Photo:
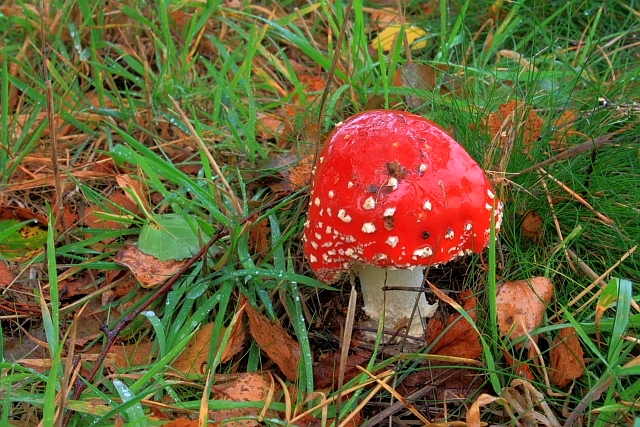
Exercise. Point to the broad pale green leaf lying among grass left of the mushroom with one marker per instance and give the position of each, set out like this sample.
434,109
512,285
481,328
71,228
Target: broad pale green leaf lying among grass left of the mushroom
170,236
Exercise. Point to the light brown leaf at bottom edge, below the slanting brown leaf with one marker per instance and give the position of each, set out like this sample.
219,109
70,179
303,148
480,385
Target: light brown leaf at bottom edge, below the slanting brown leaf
249,387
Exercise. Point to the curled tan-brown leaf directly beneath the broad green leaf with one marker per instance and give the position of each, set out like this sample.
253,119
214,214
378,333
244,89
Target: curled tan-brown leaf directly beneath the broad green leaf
147,269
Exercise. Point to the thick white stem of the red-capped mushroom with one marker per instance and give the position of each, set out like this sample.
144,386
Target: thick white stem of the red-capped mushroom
397,305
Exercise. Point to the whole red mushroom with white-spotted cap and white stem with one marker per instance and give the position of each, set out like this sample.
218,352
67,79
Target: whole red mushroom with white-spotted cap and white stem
391,194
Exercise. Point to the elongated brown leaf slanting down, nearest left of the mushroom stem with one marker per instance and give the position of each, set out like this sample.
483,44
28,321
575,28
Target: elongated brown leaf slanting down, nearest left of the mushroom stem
275,342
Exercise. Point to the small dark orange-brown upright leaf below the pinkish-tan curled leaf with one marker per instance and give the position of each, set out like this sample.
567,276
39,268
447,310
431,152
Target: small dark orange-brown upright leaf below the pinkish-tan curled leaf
566,358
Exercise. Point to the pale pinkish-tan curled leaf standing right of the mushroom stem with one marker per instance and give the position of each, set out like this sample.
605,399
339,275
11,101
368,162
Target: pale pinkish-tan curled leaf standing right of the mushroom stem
521,305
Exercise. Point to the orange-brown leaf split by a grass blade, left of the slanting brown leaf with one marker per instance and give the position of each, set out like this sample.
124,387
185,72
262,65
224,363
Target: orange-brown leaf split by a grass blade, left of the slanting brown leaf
193,359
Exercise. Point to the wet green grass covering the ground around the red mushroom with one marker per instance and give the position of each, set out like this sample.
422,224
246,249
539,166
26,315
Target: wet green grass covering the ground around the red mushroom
115,69
